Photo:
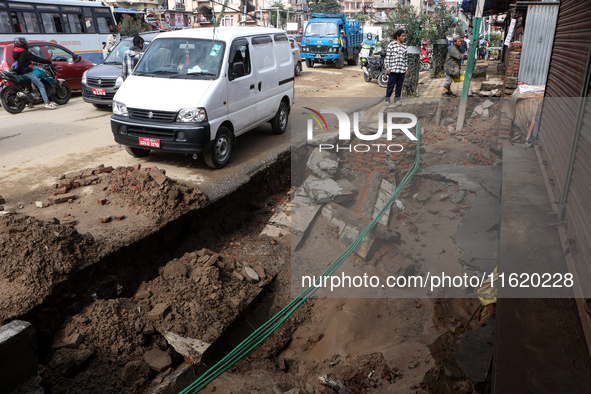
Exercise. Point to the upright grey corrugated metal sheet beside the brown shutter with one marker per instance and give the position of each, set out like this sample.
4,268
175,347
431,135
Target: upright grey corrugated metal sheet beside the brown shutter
538,37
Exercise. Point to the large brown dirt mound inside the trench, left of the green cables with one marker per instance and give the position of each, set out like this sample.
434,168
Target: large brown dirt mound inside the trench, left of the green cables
198,296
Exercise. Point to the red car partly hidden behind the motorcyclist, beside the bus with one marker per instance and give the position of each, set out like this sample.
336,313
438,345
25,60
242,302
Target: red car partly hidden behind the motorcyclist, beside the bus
69,65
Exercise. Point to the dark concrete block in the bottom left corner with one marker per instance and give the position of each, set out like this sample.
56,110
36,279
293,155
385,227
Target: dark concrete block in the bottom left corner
18,354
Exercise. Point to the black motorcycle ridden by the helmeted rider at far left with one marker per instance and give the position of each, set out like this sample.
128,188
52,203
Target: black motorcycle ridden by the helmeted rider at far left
19,91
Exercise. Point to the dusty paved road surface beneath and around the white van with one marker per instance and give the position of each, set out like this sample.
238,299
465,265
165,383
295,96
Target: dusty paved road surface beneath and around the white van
39,144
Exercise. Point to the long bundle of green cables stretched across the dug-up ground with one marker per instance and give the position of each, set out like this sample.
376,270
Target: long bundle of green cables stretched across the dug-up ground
263,332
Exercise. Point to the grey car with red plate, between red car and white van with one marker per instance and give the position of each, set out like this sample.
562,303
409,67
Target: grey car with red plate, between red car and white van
100,83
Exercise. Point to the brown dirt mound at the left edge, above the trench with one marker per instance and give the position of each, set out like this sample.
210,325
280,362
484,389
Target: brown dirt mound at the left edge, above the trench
35,255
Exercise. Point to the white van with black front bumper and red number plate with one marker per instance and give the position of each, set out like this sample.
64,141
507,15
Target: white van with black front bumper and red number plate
194,91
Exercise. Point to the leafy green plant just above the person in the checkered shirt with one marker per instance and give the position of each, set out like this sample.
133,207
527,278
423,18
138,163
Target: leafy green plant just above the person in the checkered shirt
406,17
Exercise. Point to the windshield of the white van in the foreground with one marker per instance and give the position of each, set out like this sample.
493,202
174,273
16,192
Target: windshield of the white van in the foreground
182,58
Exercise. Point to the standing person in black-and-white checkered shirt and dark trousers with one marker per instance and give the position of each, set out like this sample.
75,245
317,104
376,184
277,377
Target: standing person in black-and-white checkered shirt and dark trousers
396,66
